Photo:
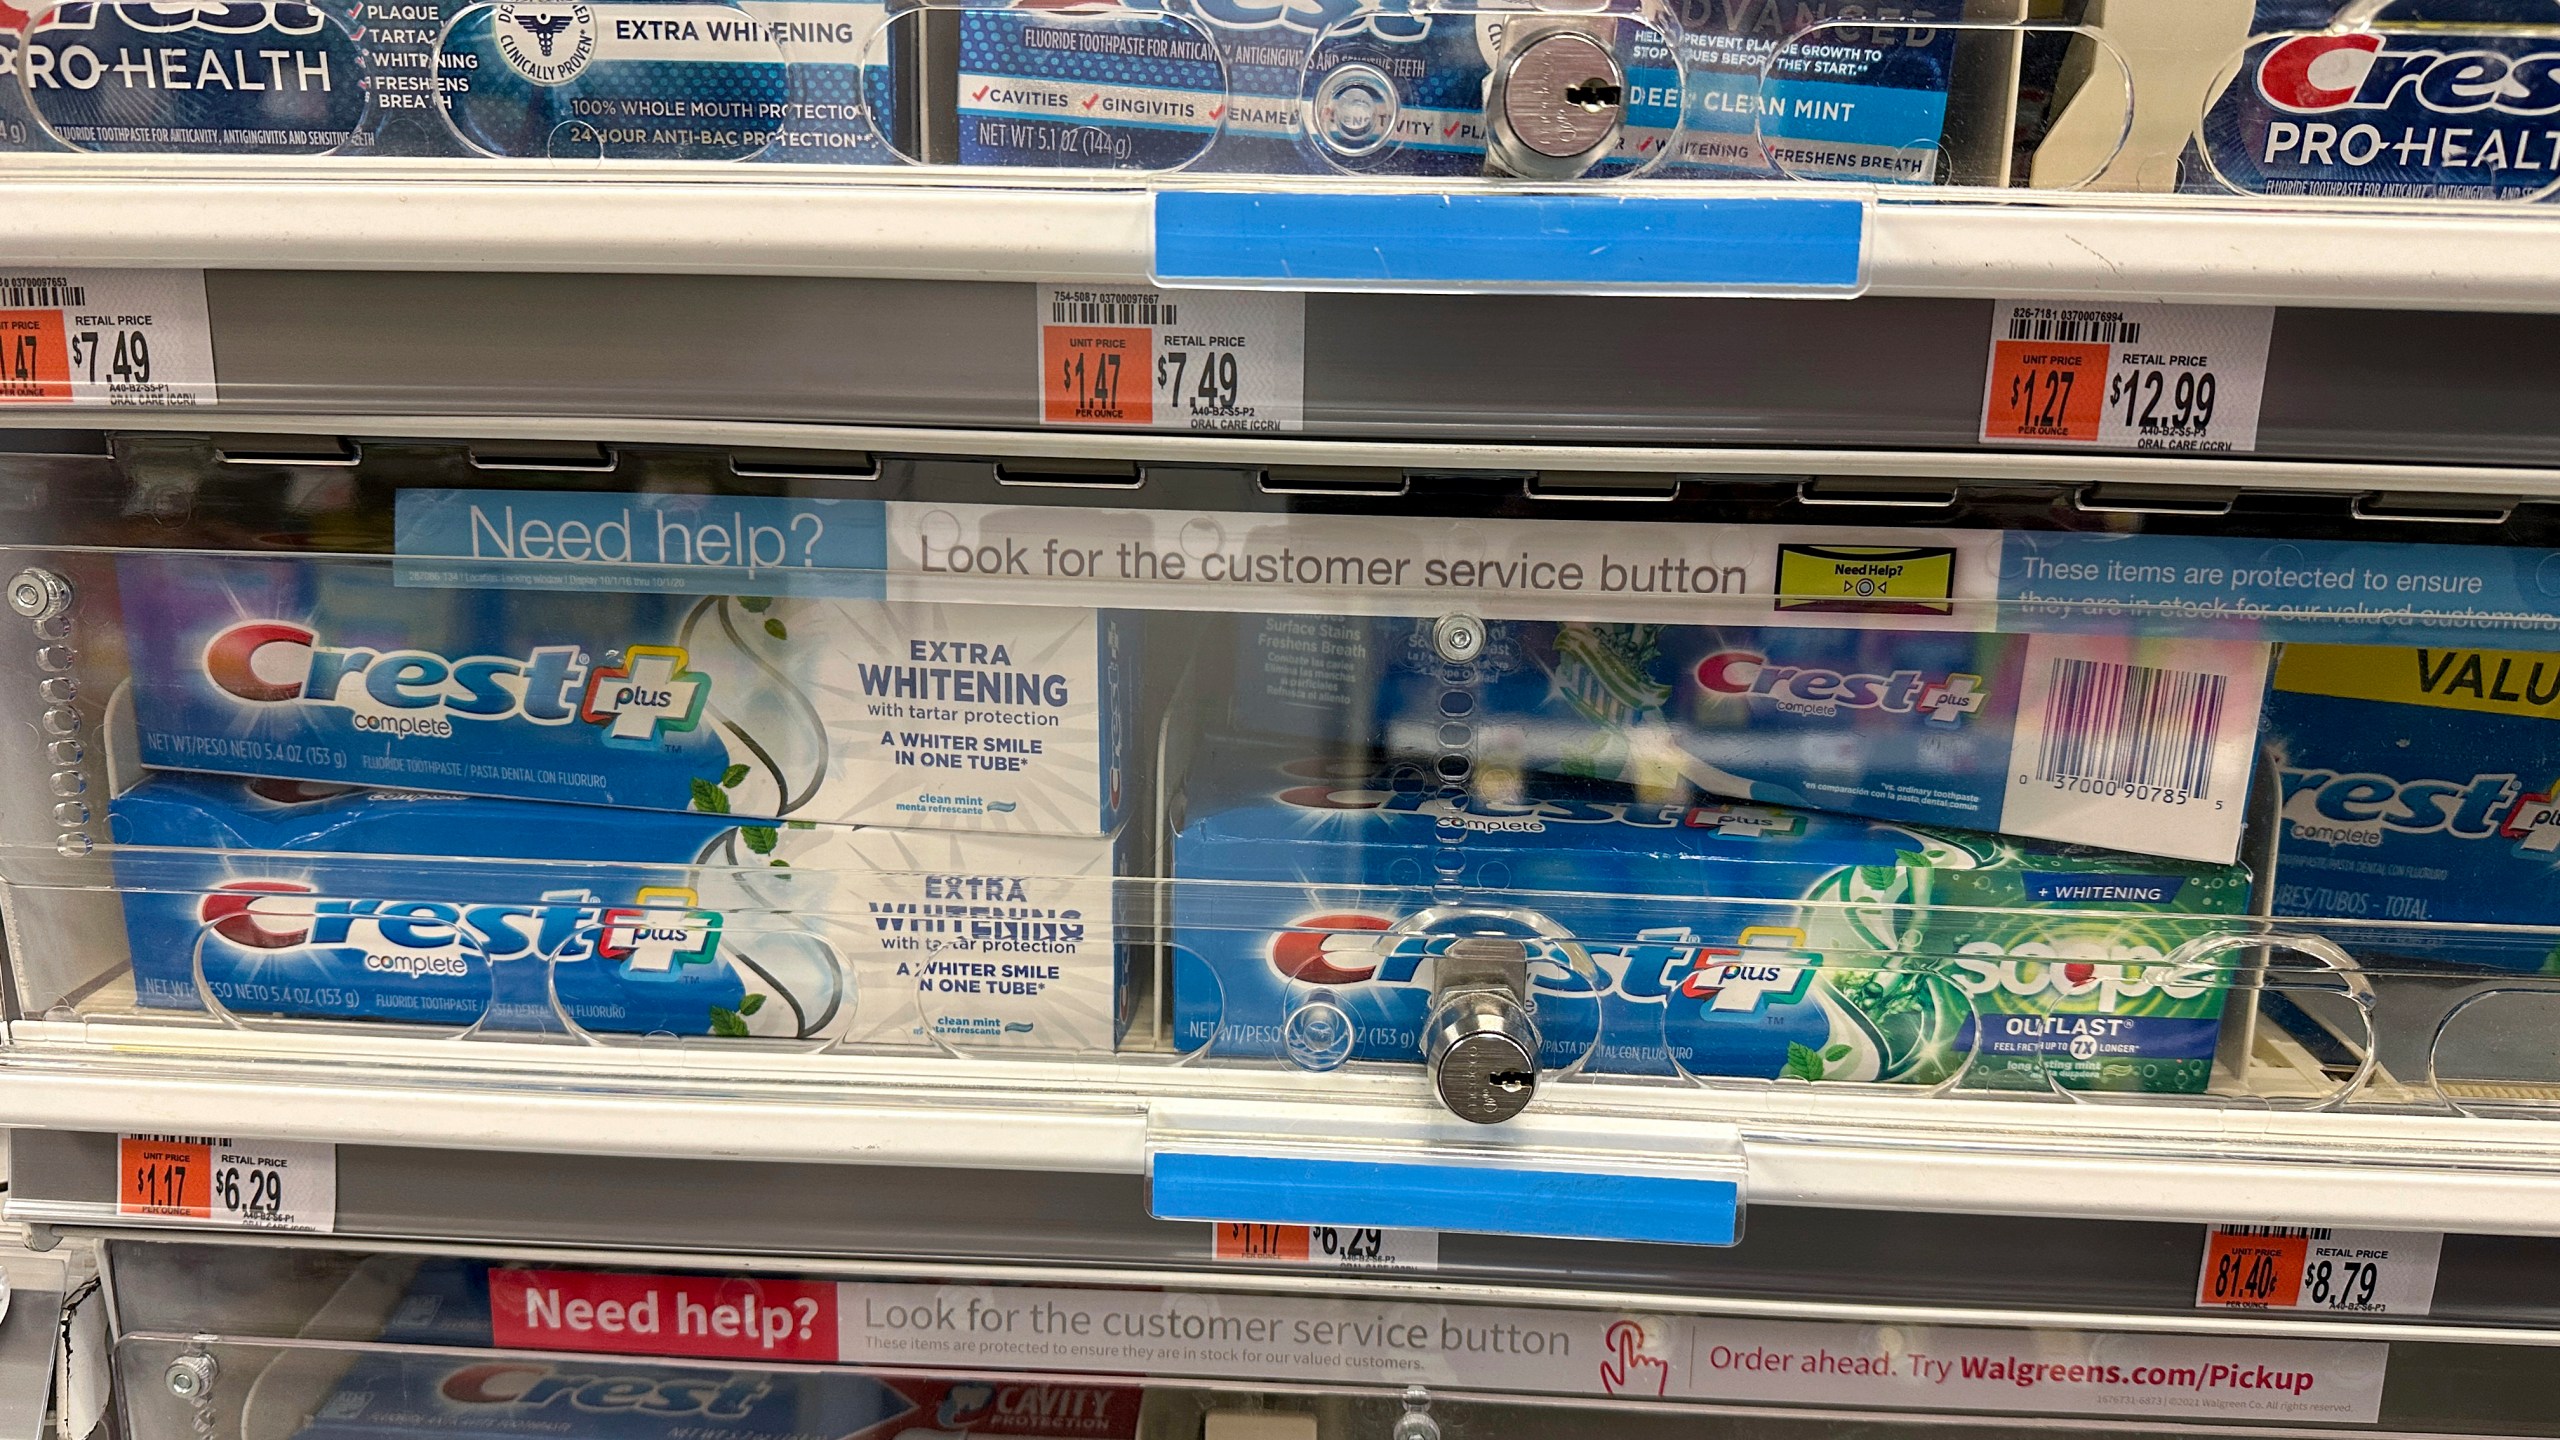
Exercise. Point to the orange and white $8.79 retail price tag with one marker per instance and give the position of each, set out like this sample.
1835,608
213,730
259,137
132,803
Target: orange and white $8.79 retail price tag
2349,1272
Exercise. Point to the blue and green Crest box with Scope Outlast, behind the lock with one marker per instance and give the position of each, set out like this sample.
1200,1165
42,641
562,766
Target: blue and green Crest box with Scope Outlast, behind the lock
1686,939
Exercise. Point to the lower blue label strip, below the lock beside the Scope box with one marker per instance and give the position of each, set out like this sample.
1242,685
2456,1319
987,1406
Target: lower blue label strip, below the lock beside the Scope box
1565,1206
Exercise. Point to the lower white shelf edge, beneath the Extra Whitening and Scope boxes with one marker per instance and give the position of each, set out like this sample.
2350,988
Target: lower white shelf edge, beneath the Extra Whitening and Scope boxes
1827,1149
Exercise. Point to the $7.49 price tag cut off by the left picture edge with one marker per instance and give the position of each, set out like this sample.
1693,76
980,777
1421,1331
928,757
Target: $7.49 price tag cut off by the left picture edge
106,337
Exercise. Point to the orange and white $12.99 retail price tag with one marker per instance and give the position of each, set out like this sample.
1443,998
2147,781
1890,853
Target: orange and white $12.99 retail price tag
2126,378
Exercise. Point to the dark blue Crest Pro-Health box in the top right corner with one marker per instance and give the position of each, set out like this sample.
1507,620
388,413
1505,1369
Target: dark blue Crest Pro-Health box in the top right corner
2413,99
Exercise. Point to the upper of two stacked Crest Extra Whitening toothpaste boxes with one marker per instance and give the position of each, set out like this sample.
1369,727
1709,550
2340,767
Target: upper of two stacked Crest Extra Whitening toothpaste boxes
762,708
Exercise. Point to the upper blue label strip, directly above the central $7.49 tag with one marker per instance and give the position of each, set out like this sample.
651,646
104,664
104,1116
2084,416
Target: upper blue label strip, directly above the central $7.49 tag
1512,240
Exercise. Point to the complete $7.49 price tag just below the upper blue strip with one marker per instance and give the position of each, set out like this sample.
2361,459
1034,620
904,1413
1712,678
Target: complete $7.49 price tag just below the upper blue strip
1171,360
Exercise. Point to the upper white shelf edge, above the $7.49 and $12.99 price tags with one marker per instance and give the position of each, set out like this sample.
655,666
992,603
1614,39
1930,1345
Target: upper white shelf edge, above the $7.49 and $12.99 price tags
946,224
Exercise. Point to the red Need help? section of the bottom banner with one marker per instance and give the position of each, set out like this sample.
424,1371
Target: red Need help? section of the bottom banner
731,1318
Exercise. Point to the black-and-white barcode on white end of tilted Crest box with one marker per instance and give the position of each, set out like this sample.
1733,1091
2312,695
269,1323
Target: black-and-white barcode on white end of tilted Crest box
2134,729
